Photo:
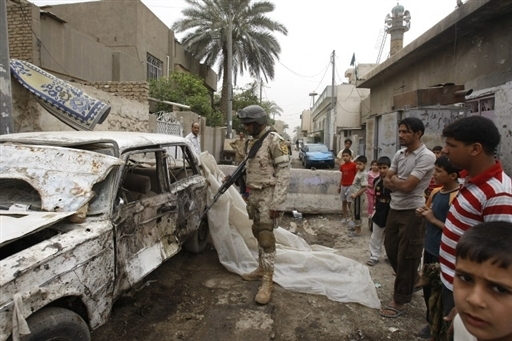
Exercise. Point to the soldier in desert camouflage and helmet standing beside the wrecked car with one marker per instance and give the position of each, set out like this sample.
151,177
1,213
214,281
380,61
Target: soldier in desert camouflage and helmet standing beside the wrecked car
267,177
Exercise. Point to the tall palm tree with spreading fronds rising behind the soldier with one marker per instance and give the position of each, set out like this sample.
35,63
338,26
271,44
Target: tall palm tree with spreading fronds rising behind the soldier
254,46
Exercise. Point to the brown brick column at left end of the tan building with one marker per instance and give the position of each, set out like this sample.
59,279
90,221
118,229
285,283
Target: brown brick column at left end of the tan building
19,25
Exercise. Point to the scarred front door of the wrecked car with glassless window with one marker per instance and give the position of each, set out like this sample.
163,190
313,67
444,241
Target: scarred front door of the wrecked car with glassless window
146,218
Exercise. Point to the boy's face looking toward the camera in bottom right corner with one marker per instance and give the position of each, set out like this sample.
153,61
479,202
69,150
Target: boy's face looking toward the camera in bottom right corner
482,286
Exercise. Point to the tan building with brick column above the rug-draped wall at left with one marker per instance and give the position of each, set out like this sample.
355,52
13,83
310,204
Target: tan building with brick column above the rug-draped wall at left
99,41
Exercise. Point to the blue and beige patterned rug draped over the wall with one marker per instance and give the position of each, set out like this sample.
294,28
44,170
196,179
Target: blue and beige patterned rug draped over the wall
67,103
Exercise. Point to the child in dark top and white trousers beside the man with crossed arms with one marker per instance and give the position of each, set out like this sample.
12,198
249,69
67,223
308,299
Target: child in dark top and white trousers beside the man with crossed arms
380,212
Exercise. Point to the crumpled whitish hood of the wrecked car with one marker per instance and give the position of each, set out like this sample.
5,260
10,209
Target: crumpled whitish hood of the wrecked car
62,177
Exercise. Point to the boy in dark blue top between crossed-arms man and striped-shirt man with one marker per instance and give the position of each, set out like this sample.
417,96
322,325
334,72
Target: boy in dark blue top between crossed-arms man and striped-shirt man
435,212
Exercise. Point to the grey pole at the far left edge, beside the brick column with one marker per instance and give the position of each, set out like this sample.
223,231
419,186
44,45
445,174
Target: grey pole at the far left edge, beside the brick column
6,121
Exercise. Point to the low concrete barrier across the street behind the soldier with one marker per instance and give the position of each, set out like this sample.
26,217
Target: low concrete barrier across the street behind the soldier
310,191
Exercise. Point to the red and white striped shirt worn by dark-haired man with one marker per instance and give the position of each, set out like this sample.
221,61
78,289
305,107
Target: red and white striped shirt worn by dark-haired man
485,197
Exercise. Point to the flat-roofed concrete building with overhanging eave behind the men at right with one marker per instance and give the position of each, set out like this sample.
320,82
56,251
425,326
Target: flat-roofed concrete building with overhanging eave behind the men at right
461,66
